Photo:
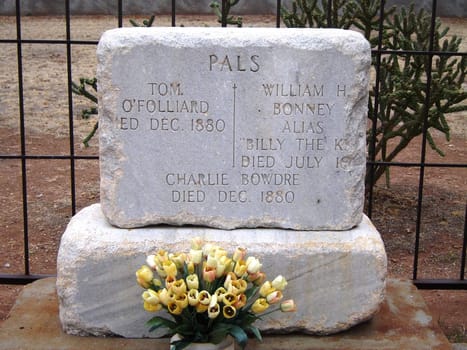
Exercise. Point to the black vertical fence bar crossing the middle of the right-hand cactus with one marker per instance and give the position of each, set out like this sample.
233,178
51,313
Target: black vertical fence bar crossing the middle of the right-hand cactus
424,139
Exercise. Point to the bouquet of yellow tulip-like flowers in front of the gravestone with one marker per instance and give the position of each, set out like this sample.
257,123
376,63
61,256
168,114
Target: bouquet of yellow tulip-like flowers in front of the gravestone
208,294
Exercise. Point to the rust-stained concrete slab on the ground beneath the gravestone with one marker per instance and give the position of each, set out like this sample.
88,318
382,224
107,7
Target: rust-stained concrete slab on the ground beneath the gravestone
33,324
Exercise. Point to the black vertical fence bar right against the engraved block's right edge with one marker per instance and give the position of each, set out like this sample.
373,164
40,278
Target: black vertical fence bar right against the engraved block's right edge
371,151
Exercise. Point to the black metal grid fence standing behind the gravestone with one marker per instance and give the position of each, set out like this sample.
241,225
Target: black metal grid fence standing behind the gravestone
48,174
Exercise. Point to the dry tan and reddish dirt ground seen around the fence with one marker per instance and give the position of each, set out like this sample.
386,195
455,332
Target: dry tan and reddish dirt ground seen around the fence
48,181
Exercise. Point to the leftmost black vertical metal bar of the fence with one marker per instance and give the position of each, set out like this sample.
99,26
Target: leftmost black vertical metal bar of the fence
24,182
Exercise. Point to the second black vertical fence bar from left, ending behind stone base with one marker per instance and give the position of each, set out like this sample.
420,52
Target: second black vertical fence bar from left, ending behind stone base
70,107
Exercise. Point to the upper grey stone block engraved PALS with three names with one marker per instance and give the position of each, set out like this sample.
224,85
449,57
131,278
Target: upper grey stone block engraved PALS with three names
233,127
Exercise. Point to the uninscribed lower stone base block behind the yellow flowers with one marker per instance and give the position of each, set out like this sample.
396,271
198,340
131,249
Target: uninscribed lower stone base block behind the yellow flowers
337,278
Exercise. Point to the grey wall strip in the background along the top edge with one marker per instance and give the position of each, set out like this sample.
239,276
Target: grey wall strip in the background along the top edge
454,8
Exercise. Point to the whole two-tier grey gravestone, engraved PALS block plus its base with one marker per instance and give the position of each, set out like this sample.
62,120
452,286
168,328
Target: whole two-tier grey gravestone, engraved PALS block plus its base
250,137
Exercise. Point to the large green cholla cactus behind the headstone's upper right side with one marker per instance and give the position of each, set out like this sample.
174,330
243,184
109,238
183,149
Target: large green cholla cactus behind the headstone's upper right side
403,77
